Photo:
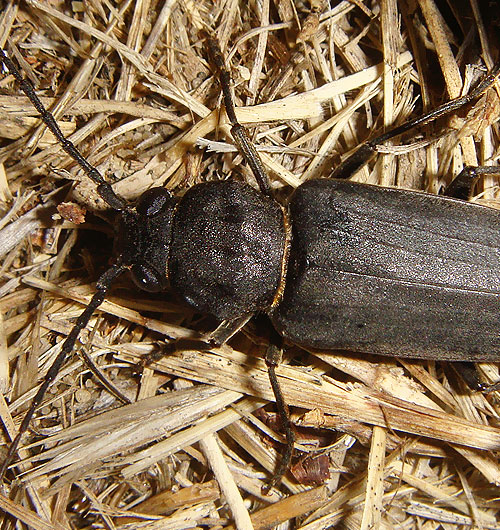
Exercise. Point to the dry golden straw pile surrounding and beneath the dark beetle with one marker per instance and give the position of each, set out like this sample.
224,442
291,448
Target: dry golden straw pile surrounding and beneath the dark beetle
398,444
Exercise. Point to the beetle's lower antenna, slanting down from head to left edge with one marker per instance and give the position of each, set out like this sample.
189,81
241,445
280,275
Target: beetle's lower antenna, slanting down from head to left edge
102,286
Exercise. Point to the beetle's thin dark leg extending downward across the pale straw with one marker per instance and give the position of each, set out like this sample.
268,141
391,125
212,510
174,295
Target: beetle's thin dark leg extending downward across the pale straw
273,359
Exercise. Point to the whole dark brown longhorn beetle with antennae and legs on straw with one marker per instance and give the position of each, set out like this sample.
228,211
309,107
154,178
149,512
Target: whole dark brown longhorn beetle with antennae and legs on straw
342,265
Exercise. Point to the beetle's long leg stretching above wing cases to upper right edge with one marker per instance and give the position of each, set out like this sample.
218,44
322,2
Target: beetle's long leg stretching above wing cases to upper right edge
363,154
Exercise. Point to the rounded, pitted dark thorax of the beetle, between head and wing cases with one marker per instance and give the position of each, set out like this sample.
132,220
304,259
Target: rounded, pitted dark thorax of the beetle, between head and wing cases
228,243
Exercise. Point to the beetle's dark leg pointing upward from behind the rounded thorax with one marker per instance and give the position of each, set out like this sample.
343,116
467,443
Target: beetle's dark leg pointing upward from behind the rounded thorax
240,134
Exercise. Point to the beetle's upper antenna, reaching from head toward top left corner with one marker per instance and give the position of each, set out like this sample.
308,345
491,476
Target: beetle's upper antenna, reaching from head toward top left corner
104,189
